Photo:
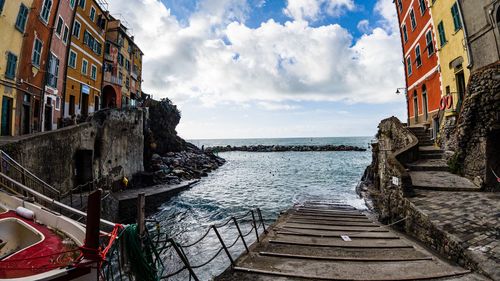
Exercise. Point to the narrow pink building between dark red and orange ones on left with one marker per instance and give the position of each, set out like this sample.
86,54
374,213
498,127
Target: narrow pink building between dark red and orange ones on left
56,67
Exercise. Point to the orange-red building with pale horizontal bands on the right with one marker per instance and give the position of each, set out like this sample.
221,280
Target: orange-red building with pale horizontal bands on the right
423,82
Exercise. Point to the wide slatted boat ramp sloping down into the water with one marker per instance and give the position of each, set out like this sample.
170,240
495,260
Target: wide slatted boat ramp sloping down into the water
318,241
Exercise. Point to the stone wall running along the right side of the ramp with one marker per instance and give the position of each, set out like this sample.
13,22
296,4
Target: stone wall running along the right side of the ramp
391,188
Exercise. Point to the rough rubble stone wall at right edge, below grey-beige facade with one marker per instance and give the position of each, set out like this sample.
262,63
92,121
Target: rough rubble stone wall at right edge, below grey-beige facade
473,138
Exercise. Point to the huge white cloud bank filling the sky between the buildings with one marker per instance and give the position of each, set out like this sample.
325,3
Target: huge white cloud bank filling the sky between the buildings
216,58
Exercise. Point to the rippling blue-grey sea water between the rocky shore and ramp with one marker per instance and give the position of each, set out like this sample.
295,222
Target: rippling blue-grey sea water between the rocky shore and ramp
271,181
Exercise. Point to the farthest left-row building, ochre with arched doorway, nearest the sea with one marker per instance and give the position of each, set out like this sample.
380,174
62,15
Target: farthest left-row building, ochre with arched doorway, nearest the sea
122,67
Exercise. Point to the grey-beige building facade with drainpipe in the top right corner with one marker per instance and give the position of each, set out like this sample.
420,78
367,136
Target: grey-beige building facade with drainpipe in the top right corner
482,28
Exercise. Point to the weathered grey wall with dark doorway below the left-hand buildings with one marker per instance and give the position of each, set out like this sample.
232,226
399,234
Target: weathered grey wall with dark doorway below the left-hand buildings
107,148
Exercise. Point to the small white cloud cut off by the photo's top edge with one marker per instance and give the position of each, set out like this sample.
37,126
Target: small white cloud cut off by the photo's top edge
312,9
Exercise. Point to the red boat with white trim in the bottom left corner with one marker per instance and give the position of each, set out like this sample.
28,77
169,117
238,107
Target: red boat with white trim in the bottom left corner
47,252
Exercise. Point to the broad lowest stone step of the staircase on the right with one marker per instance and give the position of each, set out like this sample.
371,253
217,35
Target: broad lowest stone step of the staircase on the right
441,181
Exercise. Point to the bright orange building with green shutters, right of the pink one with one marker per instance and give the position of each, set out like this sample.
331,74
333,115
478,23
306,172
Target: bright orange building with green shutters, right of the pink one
85,60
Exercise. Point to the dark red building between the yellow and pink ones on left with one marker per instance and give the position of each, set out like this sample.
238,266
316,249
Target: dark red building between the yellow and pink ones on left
33,65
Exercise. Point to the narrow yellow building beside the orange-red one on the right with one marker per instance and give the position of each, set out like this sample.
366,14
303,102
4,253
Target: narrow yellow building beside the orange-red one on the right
452,53
